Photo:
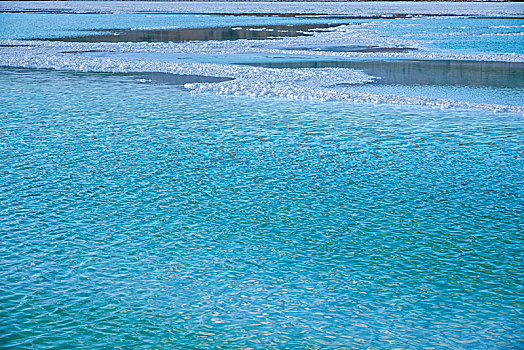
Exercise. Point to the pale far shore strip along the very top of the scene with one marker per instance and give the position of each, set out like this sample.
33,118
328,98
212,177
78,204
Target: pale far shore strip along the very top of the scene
354,9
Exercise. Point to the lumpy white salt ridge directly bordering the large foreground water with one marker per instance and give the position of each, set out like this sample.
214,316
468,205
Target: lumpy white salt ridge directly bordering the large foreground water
303,84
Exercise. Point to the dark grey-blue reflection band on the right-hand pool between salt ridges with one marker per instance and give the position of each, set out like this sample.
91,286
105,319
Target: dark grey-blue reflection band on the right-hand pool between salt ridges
403,72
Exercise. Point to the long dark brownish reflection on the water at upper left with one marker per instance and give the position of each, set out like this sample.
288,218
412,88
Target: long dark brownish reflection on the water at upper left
201,34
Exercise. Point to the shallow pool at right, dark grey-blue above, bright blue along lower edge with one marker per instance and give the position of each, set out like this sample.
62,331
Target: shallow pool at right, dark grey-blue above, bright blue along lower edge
475,81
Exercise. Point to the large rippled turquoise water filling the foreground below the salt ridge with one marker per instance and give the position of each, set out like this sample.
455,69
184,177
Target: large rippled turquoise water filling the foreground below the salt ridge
142,216
